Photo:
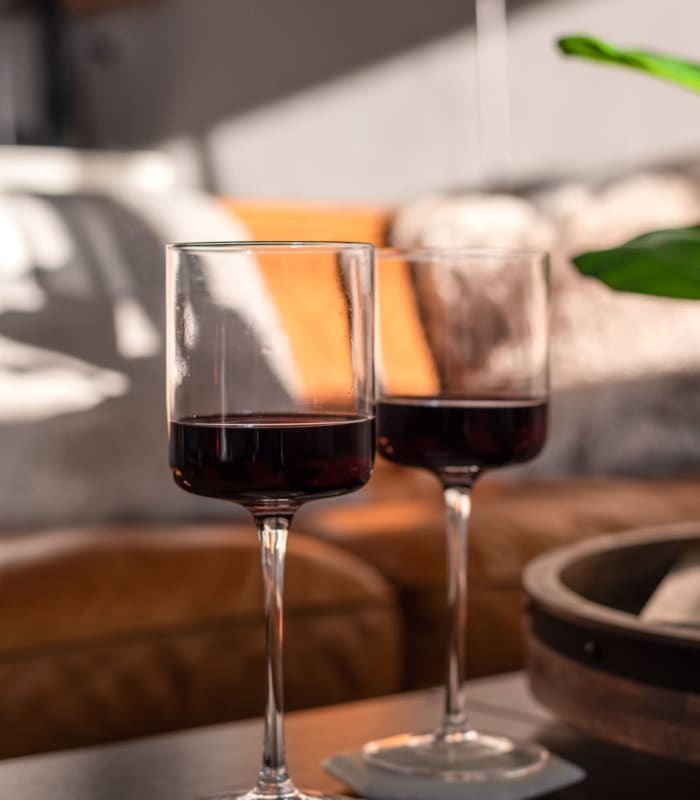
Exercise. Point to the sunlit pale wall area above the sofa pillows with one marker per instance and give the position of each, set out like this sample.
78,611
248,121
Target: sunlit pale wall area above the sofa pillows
407,125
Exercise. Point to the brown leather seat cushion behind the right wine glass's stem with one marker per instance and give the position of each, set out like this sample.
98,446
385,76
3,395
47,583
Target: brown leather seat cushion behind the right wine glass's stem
403,537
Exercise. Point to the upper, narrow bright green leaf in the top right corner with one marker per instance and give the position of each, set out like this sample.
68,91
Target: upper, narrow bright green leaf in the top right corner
677,70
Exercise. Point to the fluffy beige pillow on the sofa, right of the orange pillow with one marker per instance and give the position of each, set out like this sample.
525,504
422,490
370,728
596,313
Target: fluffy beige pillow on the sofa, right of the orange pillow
625,368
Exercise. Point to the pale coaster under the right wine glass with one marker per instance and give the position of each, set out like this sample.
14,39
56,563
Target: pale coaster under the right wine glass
375,783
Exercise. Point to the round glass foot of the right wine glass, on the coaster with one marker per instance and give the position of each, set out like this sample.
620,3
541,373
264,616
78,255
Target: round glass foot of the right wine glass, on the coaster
456,757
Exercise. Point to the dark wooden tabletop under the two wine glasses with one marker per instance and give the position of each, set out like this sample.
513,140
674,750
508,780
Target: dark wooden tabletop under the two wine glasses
193,764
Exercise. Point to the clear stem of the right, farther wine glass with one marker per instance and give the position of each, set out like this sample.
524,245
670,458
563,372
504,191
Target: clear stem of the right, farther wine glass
458,506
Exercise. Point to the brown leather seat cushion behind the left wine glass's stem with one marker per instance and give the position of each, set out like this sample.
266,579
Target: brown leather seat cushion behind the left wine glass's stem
110,633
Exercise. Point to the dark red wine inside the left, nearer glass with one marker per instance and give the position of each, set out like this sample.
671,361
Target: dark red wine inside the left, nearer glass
250,458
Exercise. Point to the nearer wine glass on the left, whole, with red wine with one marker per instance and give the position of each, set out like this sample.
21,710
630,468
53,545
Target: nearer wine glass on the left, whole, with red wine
270,403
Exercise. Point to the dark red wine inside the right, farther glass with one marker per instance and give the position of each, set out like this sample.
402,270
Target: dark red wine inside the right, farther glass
435,433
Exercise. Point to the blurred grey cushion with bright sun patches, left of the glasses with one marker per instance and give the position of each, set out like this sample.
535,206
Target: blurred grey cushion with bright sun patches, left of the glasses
82,362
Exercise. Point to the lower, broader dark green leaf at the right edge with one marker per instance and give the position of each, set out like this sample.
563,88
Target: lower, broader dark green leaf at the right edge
664,263
